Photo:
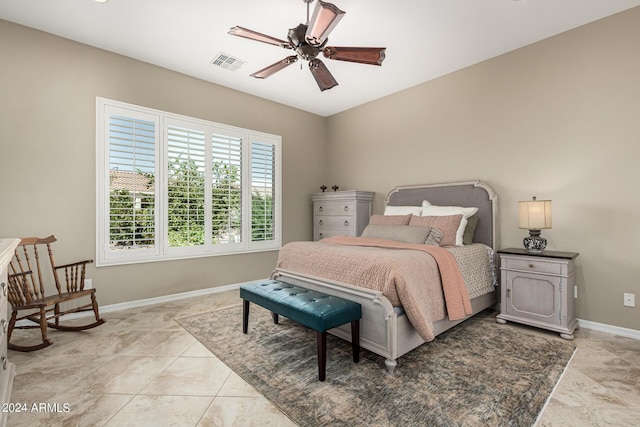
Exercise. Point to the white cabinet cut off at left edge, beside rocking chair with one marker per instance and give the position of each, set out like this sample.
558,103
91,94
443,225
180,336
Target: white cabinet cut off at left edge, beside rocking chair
7,369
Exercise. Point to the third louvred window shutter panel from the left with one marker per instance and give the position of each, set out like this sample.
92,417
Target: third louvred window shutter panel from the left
226,188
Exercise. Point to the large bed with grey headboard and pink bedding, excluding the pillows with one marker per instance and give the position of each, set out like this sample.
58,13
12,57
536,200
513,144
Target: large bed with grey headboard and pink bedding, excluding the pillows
386,328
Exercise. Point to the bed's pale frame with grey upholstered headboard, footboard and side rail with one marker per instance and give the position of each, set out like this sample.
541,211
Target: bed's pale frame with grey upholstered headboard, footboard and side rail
382,330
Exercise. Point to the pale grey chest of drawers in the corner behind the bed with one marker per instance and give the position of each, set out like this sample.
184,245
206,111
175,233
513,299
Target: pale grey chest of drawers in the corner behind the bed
341,213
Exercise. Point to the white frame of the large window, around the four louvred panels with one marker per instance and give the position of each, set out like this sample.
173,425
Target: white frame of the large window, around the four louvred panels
162,251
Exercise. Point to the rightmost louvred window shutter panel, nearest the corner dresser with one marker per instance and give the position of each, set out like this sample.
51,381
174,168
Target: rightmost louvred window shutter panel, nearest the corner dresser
262,191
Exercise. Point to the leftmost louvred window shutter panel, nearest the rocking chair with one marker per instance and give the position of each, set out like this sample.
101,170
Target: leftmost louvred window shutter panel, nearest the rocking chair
132,170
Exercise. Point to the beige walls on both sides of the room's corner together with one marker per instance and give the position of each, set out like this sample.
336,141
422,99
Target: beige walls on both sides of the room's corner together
558,119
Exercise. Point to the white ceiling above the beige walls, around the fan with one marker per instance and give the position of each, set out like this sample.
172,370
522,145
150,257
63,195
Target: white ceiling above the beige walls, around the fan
425,39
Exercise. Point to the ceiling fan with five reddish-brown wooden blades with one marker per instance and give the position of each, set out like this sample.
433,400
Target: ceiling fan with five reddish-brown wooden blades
308,40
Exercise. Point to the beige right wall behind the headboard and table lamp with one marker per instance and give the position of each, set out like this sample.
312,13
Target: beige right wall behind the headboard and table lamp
559,119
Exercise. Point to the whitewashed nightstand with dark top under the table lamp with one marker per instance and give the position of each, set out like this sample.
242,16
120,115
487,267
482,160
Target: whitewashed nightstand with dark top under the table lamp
538,289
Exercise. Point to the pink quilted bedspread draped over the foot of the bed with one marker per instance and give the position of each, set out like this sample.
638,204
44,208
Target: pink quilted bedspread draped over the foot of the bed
423,279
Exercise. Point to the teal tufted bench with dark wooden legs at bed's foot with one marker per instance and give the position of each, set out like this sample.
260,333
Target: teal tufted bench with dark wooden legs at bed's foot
309,308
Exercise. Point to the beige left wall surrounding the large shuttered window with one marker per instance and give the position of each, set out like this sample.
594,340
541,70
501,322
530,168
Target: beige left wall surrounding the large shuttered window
48,88
